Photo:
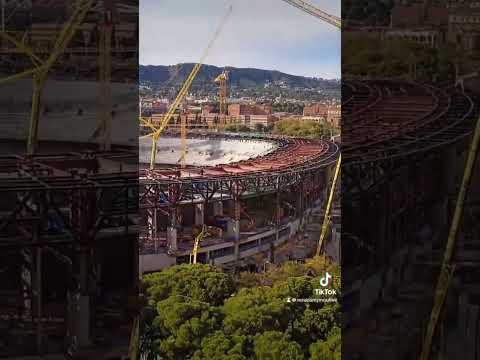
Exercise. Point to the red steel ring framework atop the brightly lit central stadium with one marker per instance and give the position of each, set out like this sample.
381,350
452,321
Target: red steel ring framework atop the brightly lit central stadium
296,165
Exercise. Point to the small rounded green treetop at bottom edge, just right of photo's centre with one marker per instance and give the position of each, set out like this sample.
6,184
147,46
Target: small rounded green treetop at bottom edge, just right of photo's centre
274,345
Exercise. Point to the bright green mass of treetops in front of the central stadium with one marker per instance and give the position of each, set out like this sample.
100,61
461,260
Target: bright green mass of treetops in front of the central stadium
200,312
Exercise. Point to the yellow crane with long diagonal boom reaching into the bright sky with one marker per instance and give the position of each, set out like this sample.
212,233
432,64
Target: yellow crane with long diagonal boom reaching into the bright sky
182,93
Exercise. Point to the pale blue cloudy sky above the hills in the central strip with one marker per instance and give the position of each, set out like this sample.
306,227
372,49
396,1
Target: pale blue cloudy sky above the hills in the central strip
265,34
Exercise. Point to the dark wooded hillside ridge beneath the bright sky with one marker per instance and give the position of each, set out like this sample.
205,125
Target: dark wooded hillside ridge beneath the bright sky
160,75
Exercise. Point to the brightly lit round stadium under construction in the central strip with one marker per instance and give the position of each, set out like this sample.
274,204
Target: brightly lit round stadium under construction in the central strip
252,192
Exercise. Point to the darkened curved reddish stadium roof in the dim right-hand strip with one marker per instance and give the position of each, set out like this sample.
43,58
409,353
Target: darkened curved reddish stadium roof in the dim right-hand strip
384,119
